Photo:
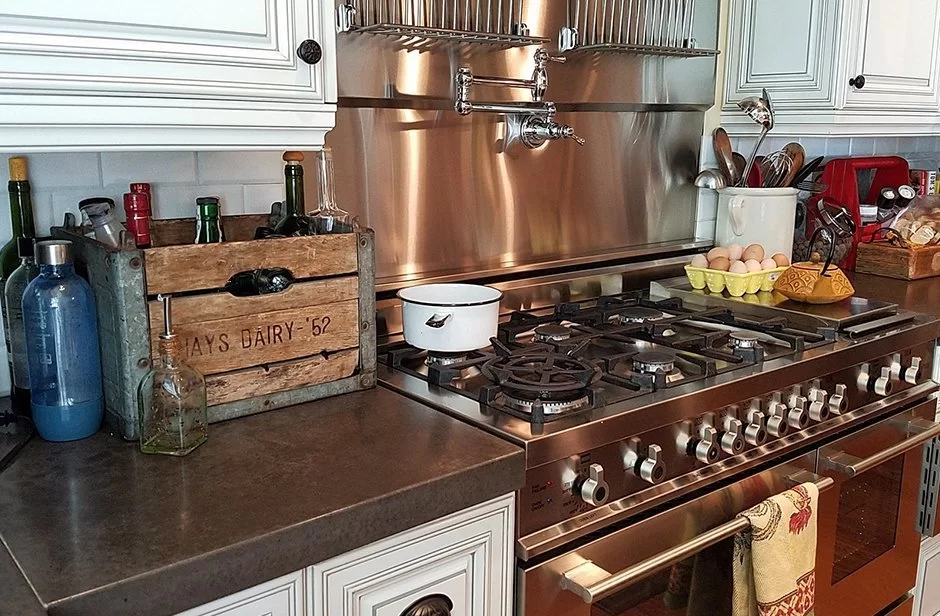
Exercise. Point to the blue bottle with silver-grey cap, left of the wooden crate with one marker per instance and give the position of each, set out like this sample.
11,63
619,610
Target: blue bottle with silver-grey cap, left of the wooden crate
62,348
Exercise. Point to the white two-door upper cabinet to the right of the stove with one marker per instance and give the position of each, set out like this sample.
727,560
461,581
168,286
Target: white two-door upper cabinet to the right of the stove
809,55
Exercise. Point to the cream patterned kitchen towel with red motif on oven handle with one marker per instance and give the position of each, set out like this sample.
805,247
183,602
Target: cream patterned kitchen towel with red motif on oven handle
774,562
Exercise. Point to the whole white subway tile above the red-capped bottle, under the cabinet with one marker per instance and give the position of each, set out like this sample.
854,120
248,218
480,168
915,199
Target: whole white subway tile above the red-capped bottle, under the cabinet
122,168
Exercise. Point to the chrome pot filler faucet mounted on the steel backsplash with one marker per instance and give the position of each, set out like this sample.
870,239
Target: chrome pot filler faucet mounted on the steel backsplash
537,122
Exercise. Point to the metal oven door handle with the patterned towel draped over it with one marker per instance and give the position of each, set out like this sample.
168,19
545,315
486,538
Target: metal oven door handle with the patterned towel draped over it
593,583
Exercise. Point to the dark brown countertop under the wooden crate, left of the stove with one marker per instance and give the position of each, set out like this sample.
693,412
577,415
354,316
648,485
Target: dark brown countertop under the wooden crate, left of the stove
98,528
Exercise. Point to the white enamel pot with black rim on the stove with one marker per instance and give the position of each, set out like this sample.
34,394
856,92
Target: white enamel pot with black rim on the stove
449,318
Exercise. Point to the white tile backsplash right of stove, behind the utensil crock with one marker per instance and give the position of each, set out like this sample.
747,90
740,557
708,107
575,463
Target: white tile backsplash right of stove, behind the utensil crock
921,152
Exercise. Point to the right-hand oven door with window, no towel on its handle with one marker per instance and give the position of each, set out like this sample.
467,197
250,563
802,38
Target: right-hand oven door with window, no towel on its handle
868,542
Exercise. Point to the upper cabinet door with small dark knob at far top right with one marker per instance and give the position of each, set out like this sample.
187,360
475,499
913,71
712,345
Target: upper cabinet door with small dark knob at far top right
893,46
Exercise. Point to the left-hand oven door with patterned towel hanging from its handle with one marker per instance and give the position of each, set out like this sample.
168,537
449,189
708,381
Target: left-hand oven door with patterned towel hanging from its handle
676,563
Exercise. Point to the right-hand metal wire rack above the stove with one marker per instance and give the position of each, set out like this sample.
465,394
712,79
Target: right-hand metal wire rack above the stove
655,27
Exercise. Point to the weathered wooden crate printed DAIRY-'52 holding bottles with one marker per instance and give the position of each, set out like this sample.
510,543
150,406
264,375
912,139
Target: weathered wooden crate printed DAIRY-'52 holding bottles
314,340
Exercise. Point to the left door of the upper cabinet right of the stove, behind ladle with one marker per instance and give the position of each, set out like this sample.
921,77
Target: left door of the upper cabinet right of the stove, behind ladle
789,47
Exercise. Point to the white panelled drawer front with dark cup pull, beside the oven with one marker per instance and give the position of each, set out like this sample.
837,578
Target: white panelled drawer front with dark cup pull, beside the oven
464,560
